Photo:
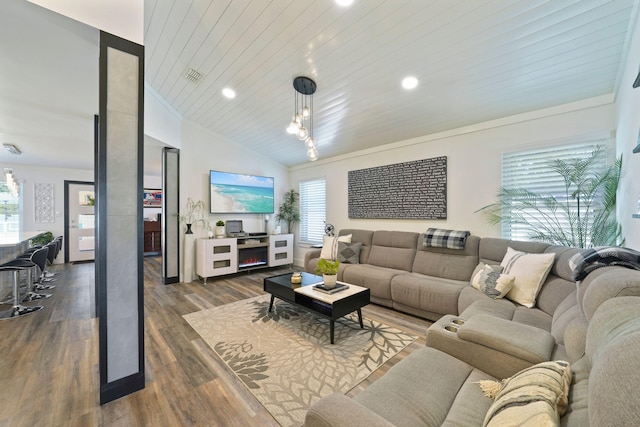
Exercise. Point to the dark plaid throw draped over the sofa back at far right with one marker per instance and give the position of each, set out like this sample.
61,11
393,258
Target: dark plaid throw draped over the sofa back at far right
588,260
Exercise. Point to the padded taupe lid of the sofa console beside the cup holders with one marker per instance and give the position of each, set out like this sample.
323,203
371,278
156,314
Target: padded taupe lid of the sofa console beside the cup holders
526,342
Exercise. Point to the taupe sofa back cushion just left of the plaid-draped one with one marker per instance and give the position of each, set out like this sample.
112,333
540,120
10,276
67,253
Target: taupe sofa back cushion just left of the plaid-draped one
393,249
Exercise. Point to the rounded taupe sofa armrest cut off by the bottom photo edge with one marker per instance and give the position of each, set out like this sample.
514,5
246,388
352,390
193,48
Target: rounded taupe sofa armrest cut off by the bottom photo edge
340,410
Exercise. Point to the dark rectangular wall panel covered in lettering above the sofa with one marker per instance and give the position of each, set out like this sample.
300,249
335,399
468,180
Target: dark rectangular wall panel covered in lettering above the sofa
410,190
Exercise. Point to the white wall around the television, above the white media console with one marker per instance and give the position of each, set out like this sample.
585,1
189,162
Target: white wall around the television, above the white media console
203,151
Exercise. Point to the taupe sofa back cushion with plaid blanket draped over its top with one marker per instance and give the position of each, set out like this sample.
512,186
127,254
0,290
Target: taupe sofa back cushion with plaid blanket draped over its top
447,263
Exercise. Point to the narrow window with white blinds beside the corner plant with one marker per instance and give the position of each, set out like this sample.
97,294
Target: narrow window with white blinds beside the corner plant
312,211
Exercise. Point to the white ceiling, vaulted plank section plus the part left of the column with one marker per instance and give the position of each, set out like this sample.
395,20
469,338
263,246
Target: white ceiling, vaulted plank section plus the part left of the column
475,61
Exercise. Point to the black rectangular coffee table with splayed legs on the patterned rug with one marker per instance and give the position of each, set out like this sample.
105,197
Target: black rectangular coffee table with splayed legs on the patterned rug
329,306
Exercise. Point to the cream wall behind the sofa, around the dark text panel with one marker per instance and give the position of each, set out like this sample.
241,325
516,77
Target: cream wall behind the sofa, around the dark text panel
473,163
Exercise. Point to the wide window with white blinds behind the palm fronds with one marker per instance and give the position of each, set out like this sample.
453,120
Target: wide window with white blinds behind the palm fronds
532,170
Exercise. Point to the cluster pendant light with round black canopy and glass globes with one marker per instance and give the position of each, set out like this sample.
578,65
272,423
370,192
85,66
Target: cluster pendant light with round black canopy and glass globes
301,124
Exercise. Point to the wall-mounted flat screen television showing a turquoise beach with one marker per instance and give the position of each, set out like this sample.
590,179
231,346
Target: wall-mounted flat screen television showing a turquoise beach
240,193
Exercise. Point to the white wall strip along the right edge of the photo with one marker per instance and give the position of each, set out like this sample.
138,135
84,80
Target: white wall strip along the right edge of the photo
627,136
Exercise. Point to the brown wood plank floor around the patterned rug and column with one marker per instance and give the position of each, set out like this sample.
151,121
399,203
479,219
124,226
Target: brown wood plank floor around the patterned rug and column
49,360
